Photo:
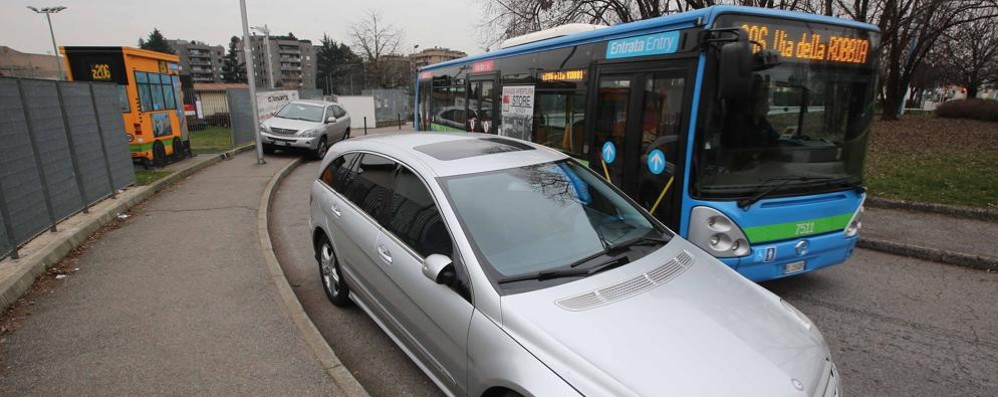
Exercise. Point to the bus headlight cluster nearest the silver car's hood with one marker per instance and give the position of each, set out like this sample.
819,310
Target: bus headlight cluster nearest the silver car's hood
717,234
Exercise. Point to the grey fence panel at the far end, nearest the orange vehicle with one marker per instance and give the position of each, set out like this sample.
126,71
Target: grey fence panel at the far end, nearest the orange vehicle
115,137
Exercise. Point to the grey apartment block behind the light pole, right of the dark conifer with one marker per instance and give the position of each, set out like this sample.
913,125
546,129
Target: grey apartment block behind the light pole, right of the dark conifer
293,62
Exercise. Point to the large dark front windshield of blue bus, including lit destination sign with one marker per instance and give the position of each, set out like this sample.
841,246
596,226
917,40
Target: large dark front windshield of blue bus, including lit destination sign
805,126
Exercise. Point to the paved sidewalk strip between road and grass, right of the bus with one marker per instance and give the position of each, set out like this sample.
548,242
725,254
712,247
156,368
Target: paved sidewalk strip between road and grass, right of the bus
967,239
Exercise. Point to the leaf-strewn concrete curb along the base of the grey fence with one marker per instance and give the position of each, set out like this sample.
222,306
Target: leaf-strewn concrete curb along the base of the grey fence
20,275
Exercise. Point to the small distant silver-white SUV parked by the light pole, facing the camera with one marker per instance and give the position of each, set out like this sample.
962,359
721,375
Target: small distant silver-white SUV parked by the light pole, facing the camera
309,125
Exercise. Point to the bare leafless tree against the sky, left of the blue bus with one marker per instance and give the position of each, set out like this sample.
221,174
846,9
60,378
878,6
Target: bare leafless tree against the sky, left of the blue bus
374,39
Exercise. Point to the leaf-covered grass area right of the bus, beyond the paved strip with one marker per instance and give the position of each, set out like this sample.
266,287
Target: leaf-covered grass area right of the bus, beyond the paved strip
936,160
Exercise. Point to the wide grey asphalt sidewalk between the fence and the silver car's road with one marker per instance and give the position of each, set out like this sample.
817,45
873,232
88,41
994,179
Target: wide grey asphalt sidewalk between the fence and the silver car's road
177,301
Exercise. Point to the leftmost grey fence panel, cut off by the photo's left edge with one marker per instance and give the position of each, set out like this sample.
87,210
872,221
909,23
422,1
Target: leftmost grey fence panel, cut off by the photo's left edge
22,187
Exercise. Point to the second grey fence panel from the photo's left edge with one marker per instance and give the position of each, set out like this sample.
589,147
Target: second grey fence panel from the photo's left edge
53,148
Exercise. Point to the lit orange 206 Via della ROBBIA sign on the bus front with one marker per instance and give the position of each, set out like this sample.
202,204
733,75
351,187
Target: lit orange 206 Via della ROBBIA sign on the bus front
802,44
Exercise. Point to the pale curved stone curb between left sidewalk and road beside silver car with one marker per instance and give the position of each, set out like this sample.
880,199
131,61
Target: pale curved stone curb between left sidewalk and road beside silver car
327,358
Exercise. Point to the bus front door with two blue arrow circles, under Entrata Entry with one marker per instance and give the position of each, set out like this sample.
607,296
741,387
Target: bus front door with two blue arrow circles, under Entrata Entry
638,139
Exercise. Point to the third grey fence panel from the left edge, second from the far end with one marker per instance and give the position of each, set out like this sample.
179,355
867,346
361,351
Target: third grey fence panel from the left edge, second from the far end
86,141
